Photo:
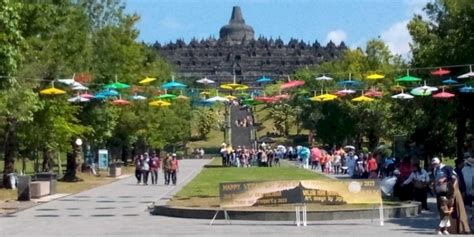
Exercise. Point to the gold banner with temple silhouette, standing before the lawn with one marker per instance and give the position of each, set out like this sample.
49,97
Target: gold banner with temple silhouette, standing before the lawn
329,192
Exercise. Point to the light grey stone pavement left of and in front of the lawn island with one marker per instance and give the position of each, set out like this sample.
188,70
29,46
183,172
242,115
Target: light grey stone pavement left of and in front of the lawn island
120,209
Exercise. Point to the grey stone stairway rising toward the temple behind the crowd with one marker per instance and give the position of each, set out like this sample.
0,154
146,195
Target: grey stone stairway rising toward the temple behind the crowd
240,135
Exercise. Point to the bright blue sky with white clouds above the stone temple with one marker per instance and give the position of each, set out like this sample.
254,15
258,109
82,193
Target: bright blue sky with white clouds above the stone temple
352,21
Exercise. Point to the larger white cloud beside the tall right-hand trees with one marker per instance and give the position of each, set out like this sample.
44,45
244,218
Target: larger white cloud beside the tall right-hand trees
398,38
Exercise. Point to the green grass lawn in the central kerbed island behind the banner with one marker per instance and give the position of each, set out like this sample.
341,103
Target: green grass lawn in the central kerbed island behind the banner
203,190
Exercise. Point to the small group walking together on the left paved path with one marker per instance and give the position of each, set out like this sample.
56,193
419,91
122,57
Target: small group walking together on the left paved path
146,166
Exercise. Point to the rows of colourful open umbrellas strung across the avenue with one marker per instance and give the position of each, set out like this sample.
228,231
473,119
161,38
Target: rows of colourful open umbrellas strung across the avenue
113,91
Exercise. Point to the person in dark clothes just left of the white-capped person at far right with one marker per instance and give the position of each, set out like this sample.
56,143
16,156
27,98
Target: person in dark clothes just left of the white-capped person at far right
420,179
